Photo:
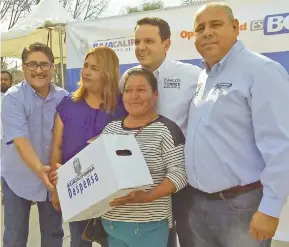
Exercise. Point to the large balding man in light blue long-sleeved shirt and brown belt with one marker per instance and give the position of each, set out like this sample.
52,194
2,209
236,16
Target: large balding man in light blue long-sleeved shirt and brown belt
237,143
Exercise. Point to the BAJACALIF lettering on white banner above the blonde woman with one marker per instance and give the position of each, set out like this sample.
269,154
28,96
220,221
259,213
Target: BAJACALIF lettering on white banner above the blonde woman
117,44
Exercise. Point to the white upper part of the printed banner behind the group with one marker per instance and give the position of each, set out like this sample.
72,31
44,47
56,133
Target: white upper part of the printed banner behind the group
264,28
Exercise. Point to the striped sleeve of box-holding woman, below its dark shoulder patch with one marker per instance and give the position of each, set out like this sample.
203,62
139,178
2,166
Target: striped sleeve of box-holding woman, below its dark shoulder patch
174,160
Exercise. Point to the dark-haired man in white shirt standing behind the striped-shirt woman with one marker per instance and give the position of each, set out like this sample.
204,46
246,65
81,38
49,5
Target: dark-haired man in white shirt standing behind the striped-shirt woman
177,83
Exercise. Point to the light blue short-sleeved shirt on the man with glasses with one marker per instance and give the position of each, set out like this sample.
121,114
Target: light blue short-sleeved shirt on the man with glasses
26,114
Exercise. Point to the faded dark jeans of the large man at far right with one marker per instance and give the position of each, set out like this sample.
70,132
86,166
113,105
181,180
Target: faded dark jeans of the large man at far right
205,222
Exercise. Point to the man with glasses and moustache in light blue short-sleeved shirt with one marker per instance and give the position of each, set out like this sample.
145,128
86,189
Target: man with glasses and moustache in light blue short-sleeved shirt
28,111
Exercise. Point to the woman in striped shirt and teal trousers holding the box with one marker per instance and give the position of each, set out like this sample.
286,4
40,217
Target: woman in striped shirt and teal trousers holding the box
143,218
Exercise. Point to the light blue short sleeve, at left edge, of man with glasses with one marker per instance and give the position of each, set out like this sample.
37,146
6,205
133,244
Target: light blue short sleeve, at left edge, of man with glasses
13,118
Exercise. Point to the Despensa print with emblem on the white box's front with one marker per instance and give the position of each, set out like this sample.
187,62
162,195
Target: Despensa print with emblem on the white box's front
82,181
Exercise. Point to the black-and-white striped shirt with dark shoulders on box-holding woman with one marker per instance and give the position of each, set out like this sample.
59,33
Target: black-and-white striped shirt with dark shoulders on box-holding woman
162,145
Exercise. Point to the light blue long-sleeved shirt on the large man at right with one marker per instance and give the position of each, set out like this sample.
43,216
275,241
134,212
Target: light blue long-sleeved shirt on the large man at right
238,128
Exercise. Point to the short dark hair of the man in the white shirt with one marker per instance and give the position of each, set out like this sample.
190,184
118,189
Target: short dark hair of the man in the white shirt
165,31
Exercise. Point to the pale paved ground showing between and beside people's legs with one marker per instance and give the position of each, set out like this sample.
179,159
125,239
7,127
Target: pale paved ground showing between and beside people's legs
34,236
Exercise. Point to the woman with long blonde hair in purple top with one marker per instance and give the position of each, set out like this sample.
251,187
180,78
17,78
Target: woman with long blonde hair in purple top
83,115
